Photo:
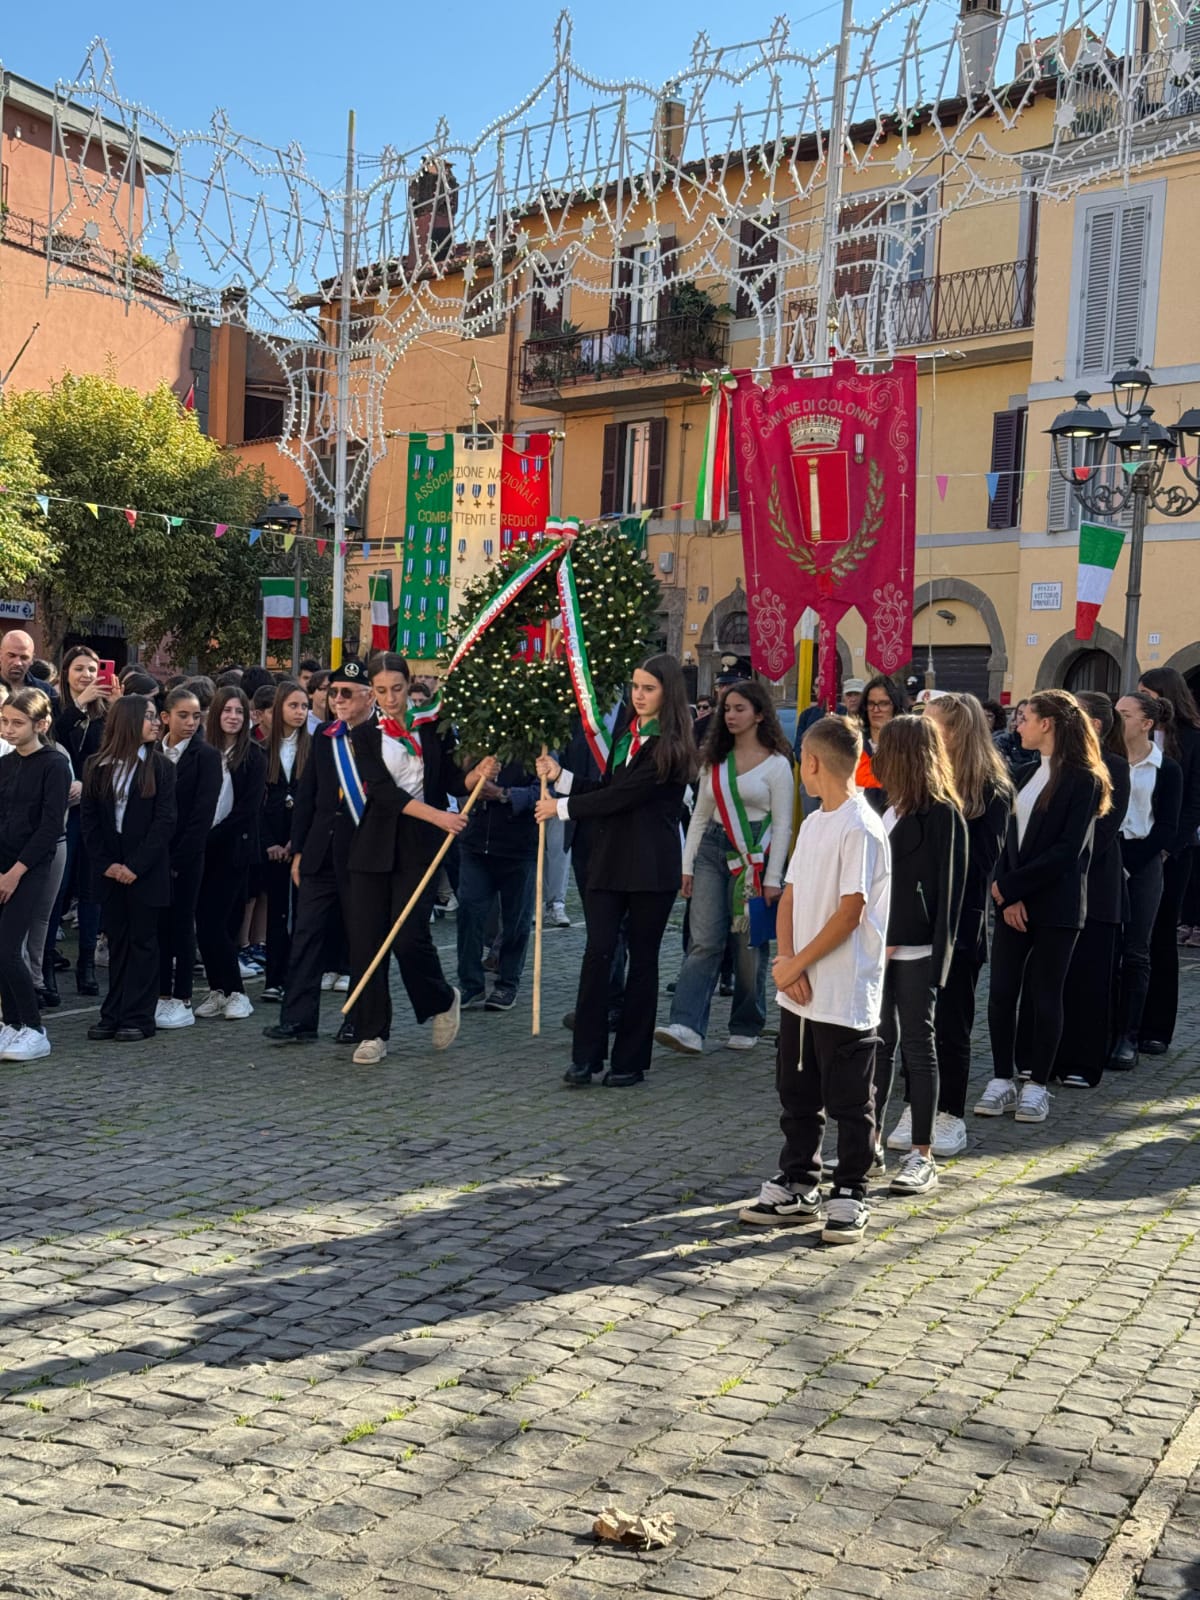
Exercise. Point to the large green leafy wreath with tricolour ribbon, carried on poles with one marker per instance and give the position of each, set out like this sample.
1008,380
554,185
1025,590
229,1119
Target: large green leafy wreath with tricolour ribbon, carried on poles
510,708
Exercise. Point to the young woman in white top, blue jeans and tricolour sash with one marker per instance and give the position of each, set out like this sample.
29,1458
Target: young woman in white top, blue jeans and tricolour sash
735,855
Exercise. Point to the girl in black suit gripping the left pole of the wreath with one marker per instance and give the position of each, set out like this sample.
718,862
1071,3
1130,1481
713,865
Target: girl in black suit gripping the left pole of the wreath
409,775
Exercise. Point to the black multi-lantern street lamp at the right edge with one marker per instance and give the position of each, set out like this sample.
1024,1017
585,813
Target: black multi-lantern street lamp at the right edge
1081,441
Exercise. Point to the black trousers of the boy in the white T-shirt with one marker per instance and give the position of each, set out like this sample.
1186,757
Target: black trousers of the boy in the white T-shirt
823,1070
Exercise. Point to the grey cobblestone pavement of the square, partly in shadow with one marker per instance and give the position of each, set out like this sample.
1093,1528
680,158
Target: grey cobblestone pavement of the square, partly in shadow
271,1319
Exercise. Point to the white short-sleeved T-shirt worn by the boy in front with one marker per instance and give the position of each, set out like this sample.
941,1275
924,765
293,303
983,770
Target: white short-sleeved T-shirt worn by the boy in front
838,854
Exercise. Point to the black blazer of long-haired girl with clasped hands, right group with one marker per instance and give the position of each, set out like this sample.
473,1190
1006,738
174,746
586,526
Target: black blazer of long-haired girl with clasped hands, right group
1050,870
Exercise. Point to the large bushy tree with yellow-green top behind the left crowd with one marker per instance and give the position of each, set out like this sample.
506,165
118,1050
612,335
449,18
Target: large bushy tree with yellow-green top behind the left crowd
114,447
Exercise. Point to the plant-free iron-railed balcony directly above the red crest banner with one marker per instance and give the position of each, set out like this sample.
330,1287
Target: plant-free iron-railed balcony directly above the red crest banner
953,306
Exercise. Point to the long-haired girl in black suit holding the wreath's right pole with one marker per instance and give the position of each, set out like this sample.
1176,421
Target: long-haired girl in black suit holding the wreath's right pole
636,868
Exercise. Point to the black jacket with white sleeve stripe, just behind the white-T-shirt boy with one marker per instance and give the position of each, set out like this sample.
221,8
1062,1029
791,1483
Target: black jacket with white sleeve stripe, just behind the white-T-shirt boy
929,866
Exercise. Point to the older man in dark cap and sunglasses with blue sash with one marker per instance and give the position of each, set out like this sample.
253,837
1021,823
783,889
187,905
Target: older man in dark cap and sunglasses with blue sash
322,826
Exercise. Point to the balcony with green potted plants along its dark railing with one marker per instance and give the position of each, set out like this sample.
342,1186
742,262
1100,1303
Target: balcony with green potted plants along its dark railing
666,358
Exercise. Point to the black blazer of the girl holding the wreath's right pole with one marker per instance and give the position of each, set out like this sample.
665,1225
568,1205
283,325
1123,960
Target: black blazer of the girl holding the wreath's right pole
636,844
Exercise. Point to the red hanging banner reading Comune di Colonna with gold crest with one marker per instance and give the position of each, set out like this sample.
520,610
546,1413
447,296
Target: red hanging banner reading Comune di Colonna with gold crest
828,484
